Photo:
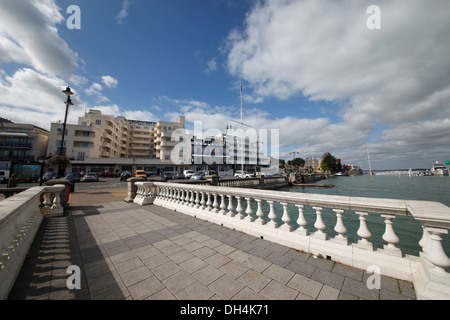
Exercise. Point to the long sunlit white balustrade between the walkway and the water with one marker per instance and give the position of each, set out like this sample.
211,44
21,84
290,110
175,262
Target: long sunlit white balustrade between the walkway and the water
252,211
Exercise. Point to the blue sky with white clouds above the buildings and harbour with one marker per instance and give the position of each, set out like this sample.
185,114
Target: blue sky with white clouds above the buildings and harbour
315,70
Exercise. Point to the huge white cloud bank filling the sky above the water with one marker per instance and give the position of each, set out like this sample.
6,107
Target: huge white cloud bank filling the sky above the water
396,77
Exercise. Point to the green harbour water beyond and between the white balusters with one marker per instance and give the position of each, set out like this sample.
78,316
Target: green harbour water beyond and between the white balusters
427,188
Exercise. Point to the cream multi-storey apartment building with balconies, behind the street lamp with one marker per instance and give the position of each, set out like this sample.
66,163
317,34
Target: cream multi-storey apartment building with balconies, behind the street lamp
98,141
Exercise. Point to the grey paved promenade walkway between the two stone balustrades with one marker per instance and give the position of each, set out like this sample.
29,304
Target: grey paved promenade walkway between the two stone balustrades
126,251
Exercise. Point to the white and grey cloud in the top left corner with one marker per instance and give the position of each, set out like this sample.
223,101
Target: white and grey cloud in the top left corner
28,35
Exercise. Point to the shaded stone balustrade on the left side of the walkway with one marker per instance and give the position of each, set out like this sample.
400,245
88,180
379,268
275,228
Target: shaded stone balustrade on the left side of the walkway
20,218
